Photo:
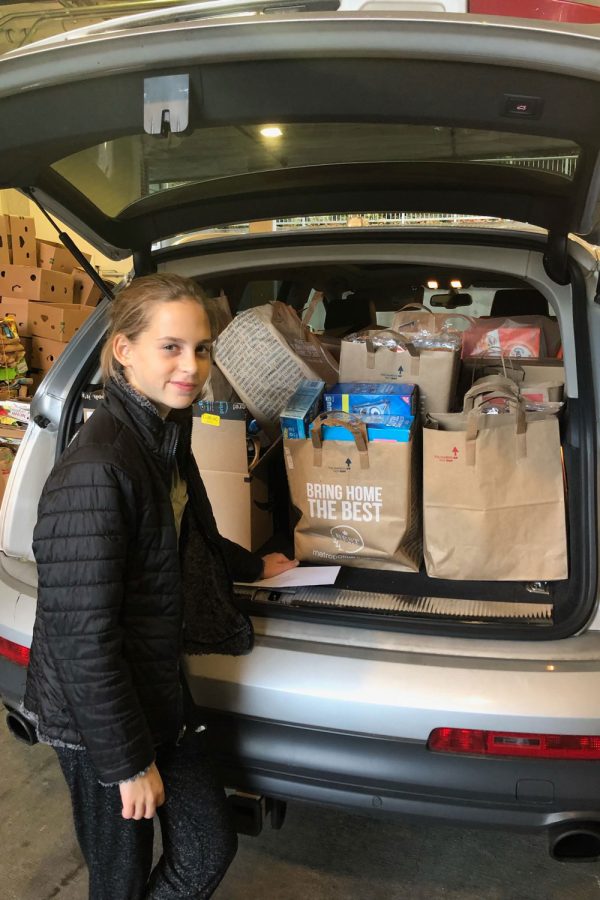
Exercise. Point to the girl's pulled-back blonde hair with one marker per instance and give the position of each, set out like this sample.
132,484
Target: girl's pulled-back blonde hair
132,308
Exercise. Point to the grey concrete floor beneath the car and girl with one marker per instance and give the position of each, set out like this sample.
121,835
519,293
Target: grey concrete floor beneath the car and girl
318,855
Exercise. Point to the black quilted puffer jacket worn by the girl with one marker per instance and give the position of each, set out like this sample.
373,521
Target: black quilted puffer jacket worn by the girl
112,600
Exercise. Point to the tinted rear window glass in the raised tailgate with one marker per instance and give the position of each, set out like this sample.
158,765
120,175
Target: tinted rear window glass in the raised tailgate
115,174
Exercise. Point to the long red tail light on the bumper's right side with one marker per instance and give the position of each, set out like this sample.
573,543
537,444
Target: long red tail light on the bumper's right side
514,743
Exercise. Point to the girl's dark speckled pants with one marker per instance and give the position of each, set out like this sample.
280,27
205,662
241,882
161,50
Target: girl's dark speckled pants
198,839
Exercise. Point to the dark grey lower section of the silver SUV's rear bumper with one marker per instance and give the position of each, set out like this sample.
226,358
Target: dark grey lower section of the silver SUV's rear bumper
400,778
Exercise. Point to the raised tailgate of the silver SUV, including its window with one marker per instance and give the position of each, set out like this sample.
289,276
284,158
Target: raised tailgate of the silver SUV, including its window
391,112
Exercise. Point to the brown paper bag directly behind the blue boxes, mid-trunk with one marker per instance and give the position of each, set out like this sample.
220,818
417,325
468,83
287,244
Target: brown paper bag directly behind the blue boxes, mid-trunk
434,371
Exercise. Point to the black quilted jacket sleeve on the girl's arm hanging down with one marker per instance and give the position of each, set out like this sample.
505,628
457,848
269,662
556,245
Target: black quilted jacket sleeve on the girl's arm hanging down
81,545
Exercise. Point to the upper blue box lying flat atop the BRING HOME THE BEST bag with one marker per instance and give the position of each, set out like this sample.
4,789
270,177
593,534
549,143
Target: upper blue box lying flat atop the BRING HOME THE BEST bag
373,400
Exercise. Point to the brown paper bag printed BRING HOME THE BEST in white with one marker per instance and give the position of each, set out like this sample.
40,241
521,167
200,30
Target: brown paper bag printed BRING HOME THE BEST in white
357,500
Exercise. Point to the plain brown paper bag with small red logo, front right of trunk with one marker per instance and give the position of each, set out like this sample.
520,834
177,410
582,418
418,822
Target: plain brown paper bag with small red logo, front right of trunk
493,490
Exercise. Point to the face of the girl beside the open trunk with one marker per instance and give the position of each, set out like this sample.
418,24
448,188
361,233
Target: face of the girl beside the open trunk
170,360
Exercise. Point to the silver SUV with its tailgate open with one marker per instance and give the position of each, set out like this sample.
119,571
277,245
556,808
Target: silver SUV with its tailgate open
387,692
